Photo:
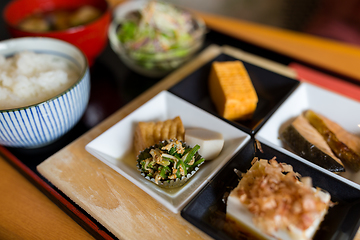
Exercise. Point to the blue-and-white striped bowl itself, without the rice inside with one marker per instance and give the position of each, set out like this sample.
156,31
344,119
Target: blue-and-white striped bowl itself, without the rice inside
42,123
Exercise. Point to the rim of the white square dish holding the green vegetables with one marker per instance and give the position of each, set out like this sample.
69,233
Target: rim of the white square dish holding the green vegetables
233,146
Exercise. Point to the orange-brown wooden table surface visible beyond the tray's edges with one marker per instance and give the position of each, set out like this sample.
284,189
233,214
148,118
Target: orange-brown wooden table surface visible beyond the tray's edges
26,213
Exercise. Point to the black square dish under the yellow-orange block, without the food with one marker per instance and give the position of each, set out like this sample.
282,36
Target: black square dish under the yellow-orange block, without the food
272,89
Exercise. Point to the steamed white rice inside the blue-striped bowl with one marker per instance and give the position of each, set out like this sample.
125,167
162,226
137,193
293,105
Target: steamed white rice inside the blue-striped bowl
28,78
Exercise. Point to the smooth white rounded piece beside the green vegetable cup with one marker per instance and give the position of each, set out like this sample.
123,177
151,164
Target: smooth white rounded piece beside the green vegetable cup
210,142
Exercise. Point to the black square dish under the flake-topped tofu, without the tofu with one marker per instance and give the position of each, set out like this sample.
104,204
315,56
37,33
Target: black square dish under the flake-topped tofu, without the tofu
207,210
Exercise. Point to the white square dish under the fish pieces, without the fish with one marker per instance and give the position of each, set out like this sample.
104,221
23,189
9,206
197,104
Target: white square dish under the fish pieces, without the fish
342,110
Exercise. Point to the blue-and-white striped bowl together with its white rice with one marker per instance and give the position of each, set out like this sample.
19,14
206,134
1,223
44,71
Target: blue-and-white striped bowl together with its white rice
44,90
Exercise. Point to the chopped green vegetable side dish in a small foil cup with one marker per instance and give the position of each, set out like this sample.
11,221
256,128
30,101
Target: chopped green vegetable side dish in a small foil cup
170,163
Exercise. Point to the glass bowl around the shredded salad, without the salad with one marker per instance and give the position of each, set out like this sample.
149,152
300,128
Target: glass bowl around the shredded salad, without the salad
148,63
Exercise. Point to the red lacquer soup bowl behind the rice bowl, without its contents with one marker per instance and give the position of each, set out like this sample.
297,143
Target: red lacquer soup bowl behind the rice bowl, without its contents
91,37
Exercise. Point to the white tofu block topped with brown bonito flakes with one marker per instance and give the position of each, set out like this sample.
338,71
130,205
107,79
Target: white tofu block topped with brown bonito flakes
269,204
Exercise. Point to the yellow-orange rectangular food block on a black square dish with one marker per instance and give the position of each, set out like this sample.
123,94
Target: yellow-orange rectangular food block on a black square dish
232,91
